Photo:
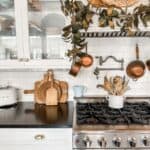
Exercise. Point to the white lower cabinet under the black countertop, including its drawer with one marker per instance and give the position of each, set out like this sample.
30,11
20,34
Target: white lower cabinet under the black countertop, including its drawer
36,139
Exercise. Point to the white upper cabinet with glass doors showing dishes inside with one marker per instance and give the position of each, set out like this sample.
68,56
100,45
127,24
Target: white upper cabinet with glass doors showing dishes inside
30,35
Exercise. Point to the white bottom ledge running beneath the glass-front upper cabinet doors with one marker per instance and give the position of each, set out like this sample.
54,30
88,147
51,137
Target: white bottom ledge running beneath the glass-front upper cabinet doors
35,65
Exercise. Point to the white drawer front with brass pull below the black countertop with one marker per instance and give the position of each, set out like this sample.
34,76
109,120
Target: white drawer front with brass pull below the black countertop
36,136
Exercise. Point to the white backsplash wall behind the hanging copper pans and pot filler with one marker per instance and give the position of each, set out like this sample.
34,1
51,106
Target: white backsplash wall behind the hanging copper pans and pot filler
119,47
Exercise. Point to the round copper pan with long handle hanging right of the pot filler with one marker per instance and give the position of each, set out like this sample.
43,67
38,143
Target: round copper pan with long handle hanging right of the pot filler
136,68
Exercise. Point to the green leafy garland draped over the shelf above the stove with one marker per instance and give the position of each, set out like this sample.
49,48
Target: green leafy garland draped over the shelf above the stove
81,17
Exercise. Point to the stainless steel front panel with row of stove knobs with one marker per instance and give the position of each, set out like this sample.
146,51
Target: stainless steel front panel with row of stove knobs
111,140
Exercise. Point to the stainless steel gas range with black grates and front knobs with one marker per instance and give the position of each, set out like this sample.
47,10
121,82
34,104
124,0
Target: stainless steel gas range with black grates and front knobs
96,126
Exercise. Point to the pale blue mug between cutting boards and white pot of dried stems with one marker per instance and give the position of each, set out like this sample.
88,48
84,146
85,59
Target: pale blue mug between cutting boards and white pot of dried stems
79,90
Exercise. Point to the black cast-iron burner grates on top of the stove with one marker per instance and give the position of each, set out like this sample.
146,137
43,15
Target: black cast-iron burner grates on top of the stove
100,114
